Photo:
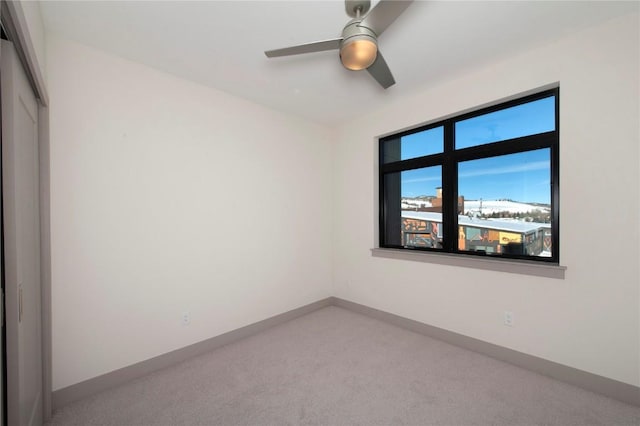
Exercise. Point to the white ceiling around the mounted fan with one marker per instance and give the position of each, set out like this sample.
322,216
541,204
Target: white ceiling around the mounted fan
221,43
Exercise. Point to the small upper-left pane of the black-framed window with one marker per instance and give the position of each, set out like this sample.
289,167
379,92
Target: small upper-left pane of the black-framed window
415,145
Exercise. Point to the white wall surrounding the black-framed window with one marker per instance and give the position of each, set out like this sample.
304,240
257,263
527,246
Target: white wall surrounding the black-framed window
591,319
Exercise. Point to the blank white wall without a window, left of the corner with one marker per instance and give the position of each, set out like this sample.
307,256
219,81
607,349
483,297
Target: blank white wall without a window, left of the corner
168,196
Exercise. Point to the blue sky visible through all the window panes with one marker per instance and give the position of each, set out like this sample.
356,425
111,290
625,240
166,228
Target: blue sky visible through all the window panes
524,177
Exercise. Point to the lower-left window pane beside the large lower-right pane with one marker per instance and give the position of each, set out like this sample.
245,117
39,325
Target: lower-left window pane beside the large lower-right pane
413,201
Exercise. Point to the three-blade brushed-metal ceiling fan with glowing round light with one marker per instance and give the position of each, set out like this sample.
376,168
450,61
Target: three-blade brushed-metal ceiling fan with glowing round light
359,41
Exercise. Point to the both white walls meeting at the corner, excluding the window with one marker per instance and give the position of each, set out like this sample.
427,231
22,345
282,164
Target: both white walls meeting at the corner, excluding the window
168,196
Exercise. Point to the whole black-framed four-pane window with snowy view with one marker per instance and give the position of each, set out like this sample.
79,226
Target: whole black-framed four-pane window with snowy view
484,183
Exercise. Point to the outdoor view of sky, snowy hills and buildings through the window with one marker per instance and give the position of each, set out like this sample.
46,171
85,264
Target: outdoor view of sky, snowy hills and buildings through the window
504,203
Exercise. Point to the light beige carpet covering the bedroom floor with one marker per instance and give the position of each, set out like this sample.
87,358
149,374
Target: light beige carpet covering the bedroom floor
335,367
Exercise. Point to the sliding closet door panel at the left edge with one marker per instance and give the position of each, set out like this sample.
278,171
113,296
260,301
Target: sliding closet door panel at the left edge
20,177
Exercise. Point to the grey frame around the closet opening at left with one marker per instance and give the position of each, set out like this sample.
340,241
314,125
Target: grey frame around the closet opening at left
15,25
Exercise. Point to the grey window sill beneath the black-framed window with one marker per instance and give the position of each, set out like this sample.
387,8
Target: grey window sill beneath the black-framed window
522,267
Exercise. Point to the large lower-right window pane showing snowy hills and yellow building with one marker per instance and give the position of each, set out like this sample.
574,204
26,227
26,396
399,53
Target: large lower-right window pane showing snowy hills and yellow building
507,204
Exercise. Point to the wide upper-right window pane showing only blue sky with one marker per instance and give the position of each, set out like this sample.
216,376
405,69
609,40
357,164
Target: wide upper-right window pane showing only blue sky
523,120
